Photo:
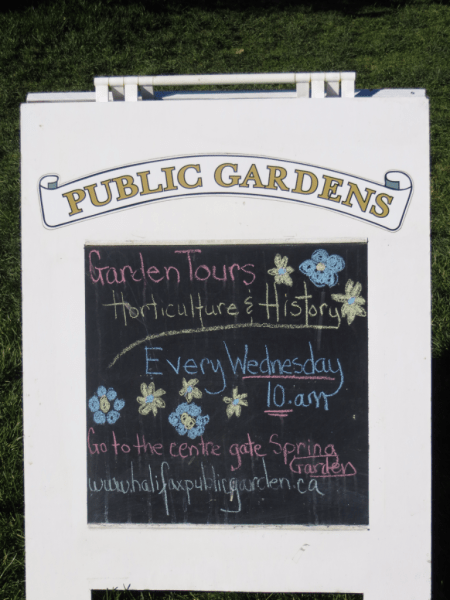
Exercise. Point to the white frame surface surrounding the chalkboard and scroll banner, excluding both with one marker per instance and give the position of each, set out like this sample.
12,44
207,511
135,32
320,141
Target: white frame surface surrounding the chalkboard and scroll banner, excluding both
367,137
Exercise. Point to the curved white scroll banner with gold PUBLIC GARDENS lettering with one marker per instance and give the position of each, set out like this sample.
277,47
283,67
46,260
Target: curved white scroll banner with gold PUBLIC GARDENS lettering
383,205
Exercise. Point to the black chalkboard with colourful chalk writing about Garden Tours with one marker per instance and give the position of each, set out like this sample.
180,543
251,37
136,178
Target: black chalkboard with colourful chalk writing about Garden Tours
227,384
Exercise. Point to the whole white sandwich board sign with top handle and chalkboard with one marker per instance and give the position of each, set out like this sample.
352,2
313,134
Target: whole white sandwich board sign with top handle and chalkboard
226,308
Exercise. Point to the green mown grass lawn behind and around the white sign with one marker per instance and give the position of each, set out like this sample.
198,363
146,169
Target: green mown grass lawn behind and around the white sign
62,45
